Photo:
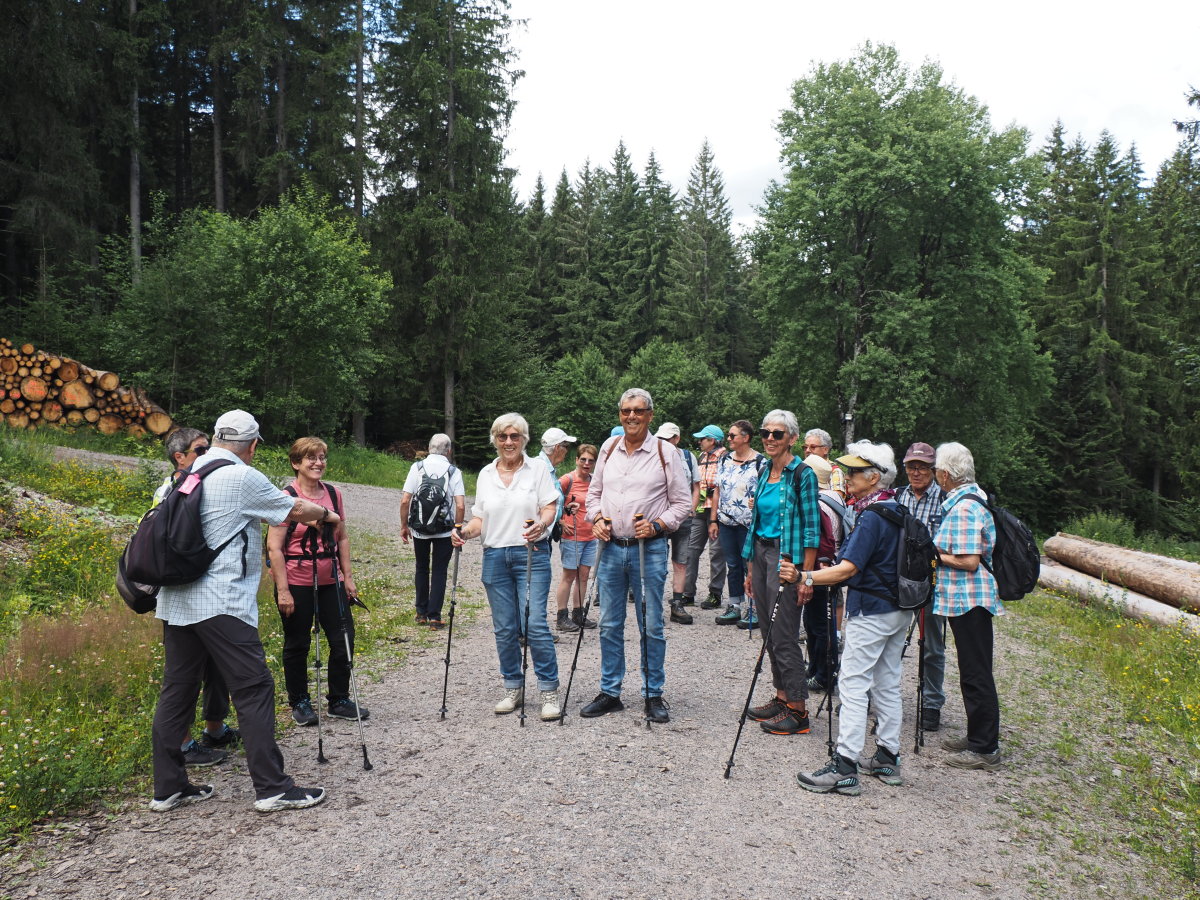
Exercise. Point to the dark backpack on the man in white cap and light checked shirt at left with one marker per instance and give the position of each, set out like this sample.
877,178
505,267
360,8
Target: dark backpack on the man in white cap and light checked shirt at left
169,545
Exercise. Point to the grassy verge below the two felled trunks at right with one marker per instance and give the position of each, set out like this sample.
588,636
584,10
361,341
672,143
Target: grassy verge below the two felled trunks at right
1112,711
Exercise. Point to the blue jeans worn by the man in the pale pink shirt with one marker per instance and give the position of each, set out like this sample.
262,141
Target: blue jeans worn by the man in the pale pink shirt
616,577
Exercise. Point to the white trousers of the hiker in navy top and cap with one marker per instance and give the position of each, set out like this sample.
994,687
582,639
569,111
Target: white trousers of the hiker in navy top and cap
871,663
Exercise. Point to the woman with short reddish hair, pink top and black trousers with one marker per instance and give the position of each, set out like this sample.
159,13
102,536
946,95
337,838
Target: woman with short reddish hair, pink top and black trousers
291,551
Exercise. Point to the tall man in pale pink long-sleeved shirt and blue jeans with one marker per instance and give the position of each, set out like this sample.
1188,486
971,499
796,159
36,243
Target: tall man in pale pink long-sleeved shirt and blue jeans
637,473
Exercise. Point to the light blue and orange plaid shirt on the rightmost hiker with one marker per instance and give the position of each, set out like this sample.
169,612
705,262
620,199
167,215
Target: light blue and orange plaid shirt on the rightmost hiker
967,529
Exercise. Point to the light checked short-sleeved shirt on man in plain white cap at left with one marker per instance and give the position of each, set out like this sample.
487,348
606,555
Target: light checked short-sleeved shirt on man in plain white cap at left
237,499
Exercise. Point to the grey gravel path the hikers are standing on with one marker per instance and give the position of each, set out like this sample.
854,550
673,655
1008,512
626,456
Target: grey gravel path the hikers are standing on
477,806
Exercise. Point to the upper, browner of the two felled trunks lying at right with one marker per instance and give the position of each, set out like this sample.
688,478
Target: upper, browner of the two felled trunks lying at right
1132,569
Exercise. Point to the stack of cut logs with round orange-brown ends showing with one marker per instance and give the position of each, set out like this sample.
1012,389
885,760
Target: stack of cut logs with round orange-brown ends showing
40,389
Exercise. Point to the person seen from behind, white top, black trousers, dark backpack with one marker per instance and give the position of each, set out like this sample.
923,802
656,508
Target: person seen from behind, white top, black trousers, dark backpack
434,502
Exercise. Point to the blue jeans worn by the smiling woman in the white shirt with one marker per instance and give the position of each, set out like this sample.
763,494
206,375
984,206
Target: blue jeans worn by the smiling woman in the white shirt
505,579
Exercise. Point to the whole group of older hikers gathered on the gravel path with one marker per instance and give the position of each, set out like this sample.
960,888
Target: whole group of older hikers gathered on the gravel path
788,536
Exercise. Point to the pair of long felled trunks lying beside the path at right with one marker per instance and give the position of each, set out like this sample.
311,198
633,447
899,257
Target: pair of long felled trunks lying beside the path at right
1143,586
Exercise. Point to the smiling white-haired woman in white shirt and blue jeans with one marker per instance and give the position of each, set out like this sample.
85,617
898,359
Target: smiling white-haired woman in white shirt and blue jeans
511,491
